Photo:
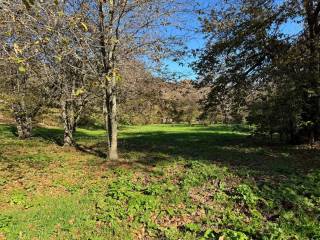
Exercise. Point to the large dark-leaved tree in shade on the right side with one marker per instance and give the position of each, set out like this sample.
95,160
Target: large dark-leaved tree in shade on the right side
248,54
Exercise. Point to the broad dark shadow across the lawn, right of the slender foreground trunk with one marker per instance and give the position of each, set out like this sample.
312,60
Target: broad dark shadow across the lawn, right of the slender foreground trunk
226,148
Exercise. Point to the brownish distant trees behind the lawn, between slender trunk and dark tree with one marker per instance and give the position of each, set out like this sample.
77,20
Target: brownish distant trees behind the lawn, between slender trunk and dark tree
146,99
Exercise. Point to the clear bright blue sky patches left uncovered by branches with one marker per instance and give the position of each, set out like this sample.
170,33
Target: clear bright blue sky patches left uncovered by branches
197,41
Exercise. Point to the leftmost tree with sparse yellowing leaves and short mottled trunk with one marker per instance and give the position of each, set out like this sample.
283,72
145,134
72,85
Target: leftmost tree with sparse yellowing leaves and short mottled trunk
28,83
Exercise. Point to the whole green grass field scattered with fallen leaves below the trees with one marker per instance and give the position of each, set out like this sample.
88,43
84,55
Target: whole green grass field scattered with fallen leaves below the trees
172,182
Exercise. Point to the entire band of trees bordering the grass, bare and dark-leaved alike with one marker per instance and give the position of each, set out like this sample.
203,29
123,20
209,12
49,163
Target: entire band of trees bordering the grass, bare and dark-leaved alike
88,57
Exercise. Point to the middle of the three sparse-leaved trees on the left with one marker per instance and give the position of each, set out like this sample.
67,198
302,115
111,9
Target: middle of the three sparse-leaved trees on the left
73,61
